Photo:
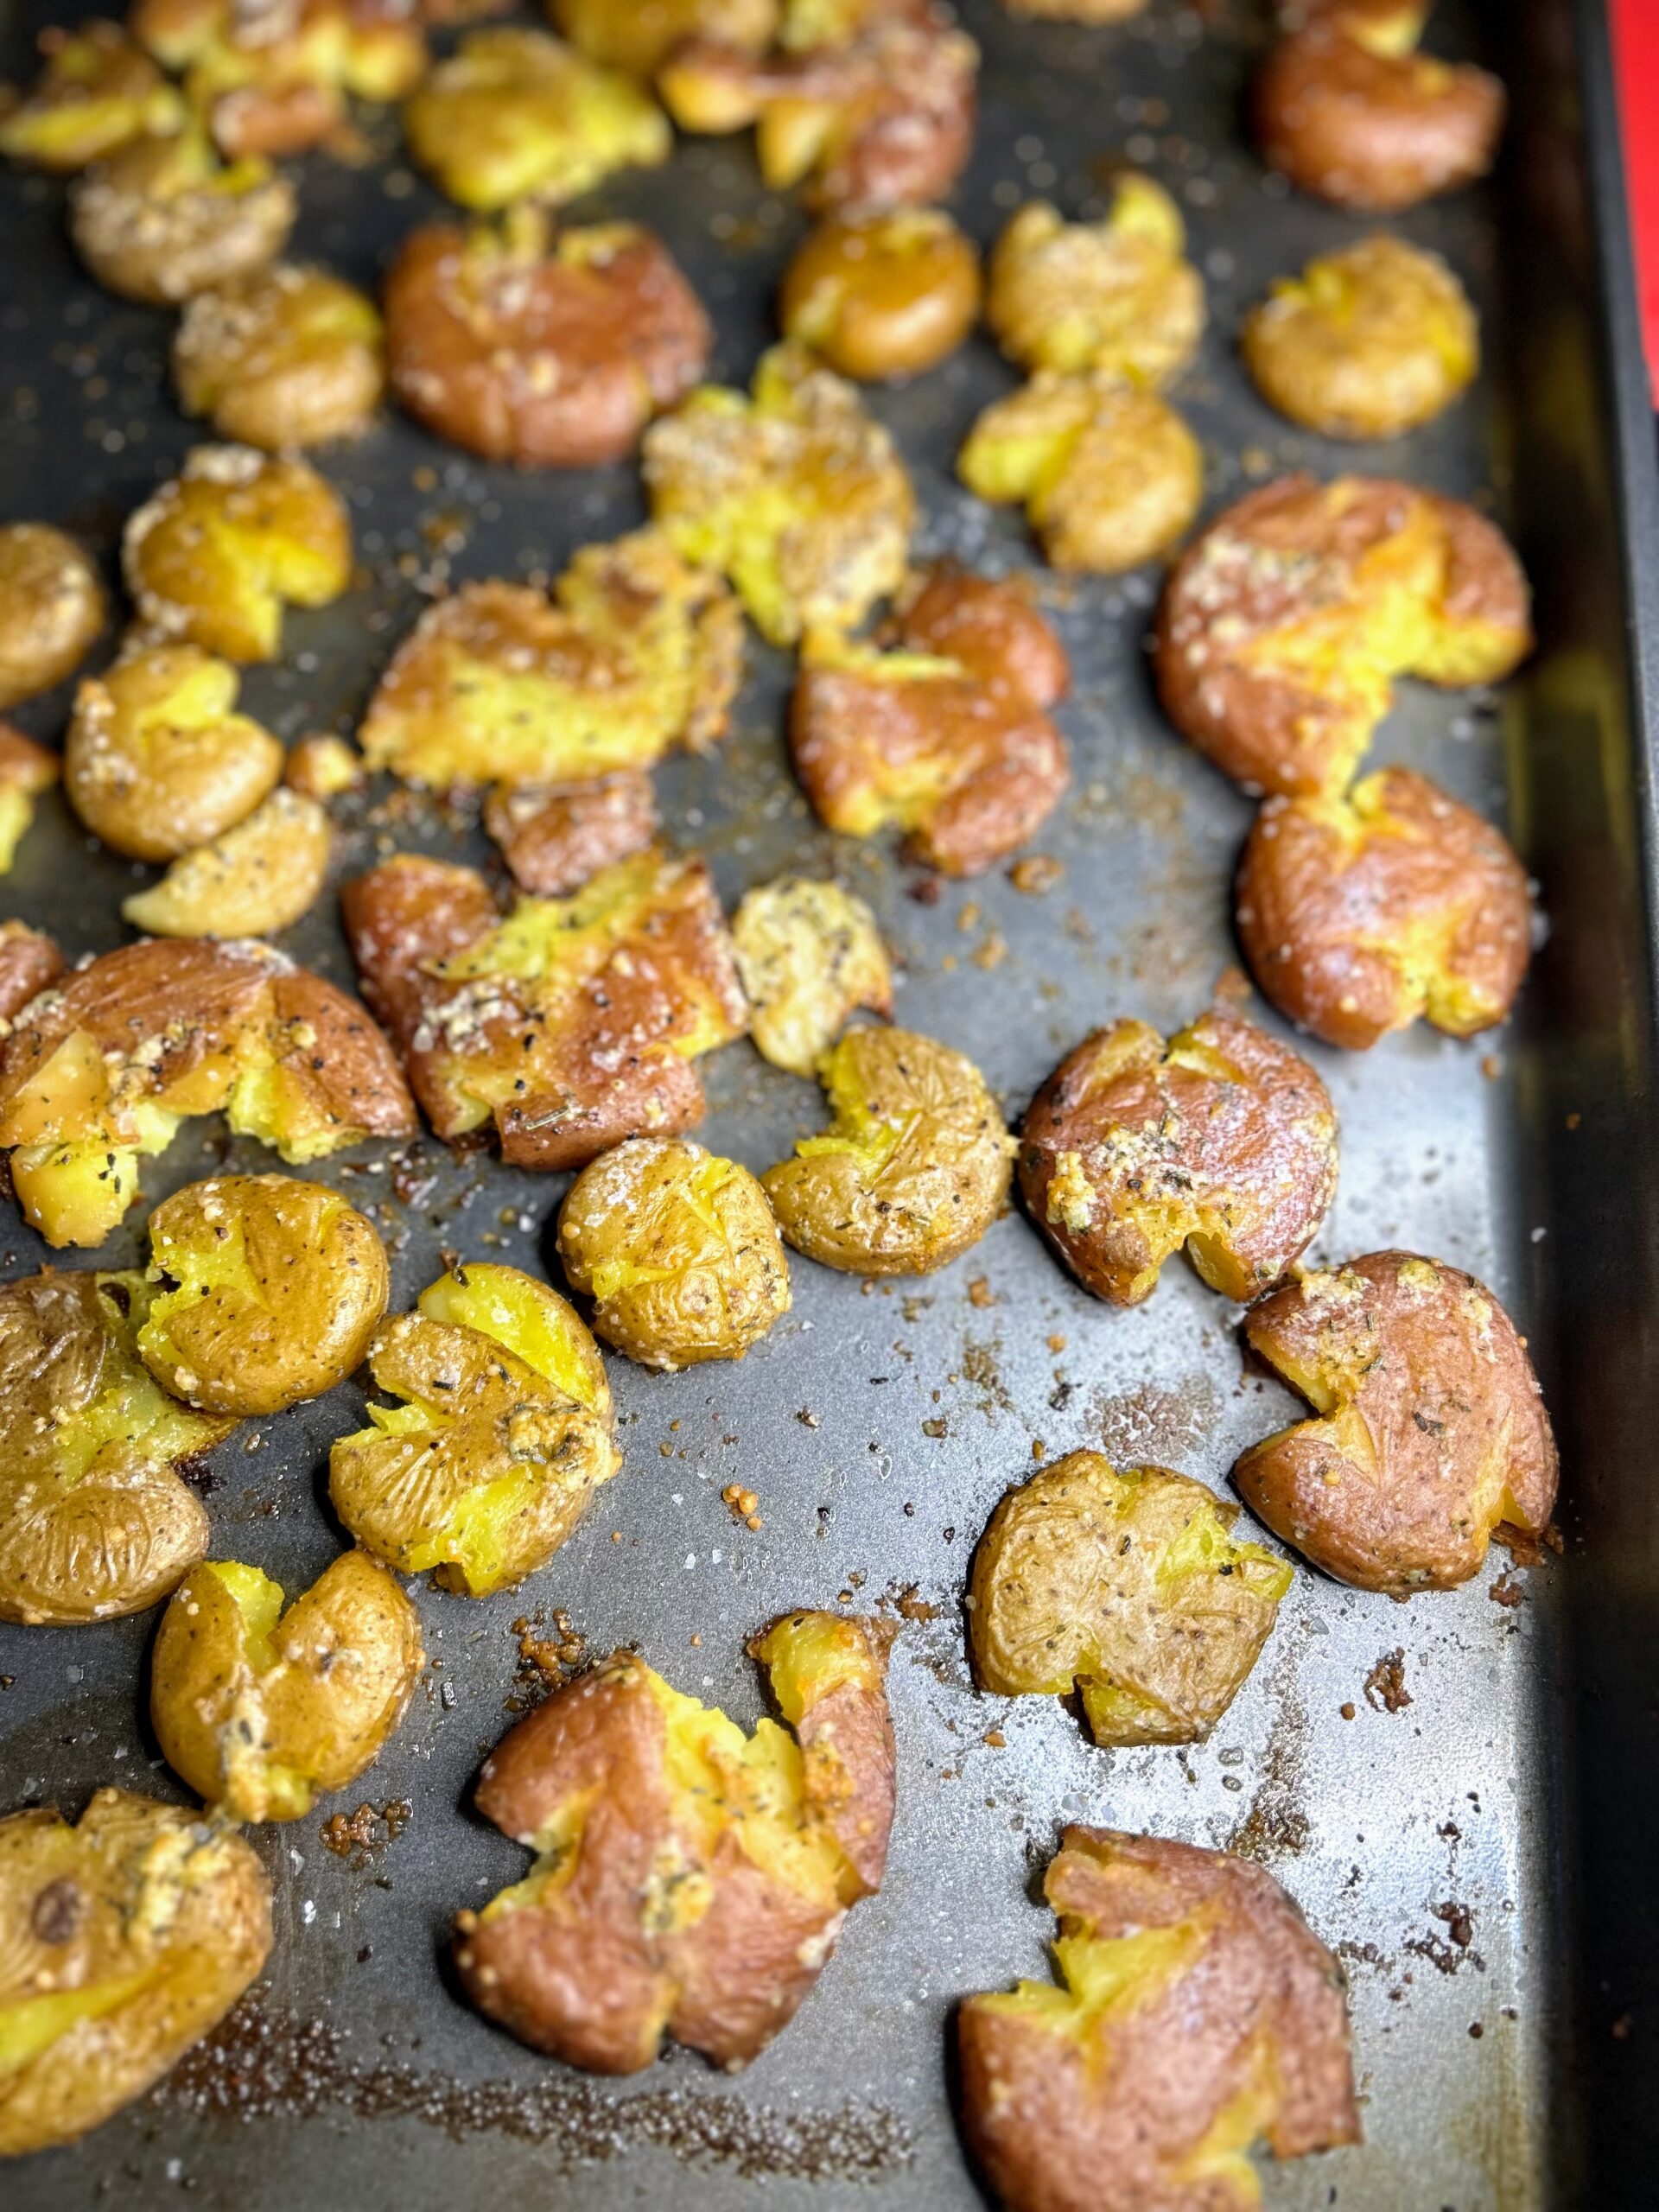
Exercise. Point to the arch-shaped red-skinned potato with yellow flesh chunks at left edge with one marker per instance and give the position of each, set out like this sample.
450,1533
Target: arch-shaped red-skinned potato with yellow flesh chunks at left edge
101,1072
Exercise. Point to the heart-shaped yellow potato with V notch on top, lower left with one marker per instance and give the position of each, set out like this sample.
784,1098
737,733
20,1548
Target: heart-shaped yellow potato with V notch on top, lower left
267,1709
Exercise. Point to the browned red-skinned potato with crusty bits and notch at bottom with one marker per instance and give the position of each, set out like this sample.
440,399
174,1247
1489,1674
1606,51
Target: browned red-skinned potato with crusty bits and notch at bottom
1220,1140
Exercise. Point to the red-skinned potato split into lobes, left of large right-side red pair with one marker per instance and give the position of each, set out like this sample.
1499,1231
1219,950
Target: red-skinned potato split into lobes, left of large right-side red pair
948,733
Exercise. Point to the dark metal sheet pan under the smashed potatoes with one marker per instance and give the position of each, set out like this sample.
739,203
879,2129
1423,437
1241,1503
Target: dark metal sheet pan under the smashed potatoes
1516,1793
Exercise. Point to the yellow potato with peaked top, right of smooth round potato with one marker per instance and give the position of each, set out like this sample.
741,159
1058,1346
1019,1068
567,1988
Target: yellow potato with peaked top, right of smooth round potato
1114,295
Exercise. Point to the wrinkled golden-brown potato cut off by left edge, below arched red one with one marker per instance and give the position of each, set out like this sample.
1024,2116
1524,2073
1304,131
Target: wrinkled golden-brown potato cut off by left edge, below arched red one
94,1516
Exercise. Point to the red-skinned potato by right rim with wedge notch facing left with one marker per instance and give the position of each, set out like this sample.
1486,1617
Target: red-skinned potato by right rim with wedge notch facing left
1430,1439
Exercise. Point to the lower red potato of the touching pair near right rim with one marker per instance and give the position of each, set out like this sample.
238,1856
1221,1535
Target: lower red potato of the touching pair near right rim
1364,915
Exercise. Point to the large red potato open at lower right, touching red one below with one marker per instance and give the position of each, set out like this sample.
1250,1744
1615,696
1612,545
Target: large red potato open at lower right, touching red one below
1291,616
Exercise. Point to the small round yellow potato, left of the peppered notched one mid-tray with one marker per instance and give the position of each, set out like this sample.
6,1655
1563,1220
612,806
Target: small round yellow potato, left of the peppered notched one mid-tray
678,1251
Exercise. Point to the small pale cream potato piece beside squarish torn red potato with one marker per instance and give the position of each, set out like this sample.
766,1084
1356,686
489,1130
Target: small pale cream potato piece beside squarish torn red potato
808,954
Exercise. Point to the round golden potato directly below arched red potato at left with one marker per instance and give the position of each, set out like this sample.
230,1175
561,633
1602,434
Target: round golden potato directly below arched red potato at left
271,1293
